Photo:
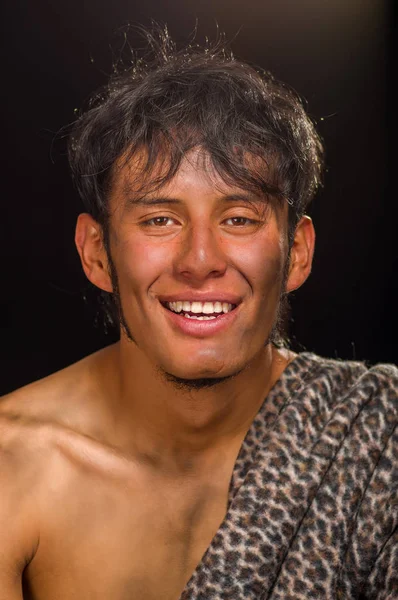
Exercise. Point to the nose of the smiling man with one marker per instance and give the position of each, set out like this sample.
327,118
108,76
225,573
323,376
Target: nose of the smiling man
200,255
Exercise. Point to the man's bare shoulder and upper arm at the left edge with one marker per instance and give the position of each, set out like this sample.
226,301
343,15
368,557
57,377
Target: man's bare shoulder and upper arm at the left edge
45,439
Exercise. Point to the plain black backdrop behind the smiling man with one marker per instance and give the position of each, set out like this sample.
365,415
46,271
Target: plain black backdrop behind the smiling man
335,53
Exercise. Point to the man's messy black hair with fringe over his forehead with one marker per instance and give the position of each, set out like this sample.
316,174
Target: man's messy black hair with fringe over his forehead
169,101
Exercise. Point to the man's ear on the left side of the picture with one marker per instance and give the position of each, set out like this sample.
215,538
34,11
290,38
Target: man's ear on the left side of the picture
89,244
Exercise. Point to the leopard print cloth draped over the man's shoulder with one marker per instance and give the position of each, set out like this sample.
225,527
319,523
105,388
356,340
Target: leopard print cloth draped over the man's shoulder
313,504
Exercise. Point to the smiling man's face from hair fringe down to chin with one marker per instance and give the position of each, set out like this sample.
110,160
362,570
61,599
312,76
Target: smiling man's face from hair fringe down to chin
200,268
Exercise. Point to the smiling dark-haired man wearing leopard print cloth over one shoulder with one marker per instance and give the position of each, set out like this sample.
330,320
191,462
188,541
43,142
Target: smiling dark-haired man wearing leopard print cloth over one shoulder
198,458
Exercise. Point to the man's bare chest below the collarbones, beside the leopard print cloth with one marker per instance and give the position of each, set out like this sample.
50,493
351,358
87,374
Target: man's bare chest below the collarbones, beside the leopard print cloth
105,539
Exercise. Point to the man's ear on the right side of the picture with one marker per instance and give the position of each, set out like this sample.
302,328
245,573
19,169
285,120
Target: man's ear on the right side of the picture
301,254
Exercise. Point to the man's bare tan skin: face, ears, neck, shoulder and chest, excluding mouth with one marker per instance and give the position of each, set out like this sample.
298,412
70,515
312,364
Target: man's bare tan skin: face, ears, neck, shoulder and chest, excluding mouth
114,480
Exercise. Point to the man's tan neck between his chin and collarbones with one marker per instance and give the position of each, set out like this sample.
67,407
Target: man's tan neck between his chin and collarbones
172,423
